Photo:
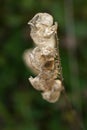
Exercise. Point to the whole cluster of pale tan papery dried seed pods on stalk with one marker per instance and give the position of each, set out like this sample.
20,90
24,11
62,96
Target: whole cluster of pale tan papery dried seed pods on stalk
44,58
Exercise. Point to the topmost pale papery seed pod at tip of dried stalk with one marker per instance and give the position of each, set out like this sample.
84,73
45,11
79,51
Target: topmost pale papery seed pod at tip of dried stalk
42,29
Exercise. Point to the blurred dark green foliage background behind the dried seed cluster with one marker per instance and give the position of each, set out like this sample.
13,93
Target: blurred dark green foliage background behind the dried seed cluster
21,106
